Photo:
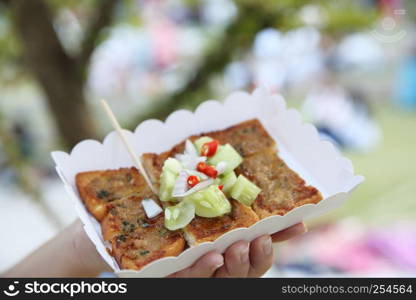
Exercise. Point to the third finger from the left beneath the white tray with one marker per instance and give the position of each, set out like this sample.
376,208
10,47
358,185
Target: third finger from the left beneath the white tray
261,256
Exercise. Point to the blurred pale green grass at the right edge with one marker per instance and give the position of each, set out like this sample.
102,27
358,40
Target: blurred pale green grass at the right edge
389,193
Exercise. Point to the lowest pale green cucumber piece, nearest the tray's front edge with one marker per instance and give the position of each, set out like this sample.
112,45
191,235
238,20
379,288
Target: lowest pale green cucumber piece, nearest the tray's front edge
179,215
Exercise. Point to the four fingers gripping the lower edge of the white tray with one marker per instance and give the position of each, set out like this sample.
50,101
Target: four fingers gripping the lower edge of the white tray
242,259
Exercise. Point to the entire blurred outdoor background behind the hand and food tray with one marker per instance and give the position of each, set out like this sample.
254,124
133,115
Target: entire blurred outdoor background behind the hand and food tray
348,66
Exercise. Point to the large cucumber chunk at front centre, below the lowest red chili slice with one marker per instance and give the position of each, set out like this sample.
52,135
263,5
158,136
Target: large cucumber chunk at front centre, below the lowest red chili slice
210,202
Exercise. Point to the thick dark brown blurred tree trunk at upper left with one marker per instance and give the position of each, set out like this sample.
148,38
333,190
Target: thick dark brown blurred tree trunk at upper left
59,75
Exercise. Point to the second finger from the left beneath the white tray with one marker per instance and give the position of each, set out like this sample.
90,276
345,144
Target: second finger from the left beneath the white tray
236,261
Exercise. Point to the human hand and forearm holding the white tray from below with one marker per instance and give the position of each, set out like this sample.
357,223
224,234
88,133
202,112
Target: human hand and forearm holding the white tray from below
74,255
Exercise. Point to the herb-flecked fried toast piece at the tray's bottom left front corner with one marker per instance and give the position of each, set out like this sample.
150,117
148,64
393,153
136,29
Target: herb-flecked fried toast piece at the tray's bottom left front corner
135,239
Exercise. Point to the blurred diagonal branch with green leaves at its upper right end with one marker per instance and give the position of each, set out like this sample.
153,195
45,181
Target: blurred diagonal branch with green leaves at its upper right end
336,18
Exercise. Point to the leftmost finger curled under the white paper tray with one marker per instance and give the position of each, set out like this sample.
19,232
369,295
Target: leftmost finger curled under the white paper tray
204,267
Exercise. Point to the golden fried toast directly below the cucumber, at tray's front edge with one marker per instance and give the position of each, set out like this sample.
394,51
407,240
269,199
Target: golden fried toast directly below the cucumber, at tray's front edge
202,230
